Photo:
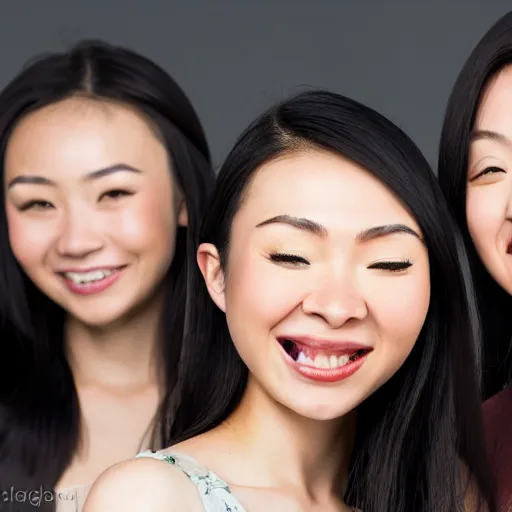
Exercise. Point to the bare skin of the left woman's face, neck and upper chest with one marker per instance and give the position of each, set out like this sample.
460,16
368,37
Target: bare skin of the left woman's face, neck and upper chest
79,221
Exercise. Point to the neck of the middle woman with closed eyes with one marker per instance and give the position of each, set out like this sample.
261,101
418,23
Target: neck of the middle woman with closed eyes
316,452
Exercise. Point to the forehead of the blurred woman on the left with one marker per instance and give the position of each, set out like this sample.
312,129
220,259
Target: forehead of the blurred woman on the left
80,134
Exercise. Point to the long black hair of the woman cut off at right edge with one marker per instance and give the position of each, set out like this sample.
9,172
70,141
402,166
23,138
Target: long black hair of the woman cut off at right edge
491,54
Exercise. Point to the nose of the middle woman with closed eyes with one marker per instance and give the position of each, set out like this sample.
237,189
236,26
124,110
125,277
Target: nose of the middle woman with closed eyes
336,300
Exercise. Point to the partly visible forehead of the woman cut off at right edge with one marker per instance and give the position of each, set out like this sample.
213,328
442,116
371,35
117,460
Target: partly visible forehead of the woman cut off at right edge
495,110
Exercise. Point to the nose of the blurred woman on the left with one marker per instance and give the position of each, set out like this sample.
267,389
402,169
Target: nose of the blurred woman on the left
78,237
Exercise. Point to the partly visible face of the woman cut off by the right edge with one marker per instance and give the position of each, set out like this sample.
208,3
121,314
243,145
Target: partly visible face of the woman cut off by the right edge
489,185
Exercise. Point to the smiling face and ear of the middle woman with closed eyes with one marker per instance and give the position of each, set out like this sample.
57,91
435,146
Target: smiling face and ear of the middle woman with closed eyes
327,285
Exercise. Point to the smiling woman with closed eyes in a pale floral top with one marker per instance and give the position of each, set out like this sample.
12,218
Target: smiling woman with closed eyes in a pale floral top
331,351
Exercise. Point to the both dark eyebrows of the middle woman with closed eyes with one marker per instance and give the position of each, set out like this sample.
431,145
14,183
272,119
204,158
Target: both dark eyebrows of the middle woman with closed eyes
319,230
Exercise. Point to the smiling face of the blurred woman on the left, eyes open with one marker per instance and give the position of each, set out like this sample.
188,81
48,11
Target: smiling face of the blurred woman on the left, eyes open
91,207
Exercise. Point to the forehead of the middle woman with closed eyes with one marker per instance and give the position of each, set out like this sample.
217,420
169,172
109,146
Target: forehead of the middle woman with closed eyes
324,187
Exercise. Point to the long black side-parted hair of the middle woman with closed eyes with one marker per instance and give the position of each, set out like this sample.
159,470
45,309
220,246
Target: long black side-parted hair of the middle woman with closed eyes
421,431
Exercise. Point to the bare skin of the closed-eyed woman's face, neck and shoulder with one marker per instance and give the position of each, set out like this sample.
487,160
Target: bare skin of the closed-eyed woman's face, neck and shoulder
335,292
